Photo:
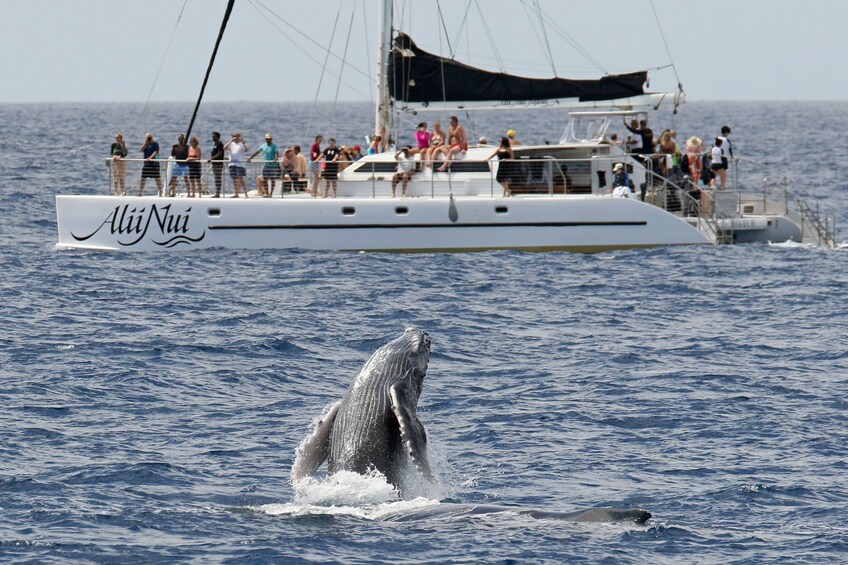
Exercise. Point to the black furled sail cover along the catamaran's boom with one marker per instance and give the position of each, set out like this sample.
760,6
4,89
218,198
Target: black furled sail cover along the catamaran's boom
420,77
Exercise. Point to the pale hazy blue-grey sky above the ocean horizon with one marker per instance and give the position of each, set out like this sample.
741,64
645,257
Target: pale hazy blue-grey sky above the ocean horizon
111,50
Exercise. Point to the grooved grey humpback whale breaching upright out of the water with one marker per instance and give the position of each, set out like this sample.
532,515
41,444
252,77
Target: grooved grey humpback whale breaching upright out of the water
375,426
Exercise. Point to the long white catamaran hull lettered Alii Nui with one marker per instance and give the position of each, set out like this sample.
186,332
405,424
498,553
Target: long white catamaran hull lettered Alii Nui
562,223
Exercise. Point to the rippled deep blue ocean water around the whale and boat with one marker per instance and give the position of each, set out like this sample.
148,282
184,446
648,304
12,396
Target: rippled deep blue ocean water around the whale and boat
152,403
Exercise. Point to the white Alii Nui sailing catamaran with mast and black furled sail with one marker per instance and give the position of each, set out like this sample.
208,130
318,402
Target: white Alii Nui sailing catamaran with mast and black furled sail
560,194
